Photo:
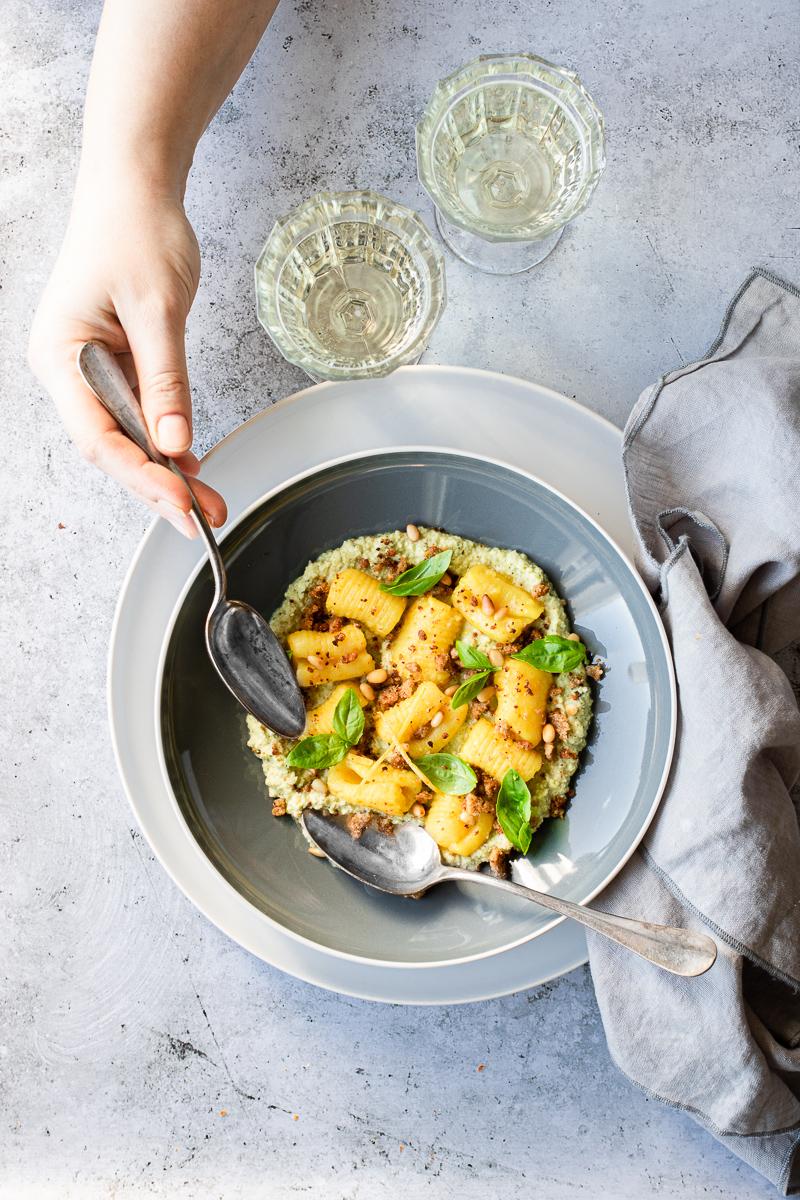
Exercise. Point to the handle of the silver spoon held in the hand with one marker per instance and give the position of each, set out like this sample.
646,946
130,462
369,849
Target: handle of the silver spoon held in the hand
104,375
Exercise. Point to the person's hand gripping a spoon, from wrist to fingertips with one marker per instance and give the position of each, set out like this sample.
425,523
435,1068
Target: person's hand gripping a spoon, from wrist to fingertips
127,277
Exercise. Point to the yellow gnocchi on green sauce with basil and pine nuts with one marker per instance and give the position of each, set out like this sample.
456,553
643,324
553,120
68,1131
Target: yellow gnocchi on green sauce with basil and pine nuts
414,699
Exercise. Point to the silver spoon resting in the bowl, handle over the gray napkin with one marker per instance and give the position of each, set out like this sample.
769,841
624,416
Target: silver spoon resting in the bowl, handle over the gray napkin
408,863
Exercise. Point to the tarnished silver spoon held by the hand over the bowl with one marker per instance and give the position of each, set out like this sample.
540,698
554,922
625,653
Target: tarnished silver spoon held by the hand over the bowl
246,653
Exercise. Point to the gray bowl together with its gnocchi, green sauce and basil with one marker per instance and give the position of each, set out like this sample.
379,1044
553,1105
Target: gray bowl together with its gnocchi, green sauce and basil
476,656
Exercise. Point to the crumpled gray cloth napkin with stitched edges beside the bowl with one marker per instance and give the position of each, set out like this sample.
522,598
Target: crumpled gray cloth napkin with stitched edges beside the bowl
713,467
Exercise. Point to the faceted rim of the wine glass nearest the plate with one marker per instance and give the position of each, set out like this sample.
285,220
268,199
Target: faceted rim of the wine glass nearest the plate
426,250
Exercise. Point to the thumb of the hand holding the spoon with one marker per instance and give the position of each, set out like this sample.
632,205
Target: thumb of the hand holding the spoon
160,358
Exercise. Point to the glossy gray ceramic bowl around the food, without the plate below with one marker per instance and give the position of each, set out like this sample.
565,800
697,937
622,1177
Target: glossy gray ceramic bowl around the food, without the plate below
218,783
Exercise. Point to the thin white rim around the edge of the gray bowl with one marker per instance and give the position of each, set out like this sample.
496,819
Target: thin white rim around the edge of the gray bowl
346,956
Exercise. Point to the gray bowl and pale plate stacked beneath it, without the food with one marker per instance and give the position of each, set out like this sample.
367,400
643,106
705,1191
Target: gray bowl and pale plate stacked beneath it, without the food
496,460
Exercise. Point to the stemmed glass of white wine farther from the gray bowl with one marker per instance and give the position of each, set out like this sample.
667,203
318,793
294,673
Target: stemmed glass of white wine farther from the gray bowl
510,149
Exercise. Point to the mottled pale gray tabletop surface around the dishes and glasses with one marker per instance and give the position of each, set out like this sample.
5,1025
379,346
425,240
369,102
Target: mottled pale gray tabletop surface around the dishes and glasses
143,1054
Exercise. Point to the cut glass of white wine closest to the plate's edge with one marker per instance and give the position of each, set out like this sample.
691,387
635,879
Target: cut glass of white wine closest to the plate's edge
350,286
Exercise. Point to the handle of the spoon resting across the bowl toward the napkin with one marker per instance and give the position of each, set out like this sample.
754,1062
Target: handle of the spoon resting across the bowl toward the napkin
678,951
